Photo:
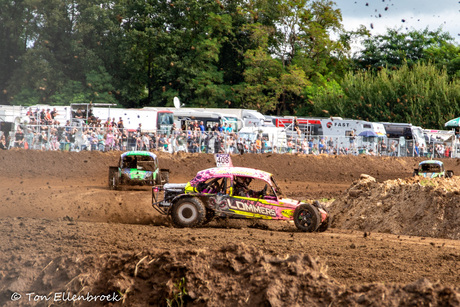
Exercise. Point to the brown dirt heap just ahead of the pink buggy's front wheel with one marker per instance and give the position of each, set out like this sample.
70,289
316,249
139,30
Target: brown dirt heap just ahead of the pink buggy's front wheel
415,206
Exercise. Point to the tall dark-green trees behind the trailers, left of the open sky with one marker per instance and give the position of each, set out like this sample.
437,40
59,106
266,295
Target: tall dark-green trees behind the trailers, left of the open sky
140,53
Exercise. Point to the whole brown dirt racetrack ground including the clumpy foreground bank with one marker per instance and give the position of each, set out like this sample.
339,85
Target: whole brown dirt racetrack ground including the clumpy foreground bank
64,230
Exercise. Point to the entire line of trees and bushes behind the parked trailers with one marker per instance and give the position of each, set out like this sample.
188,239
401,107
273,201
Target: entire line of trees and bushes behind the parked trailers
276,56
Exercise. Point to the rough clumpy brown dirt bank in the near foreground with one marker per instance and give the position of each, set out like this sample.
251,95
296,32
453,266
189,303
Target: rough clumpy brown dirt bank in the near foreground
238,275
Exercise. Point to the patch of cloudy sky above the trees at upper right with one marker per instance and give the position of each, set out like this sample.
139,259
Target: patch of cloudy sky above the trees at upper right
410,14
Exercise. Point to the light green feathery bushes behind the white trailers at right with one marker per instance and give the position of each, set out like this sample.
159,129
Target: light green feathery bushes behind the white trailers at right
422,95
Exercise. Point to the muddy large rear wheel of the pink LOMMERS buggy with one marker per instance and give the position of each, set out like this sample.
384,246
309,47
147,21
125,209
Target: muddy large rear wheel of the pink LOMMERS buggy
188,212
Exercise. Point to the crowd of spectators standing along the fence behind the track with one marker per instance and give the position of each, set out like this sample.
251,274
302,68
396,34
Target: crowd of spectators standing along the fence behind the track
44,132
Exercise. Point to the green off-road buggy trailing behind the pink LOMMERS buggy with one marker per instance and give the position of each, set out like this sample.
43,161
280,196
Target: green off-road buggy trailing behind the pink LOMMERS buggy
137,168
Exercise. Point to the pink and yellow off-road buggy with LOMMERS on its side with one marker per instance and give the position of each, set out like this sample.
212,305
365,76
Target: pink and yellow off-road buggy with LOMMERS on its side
235,192
